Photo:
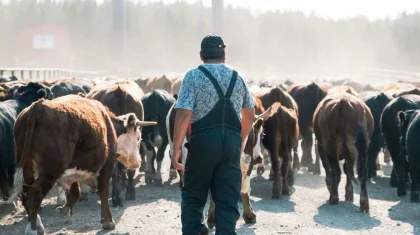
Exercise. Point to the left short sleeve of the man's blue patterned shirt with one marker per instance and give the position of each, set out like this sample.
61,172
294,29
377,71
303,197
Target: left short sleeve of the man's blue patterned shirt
186,97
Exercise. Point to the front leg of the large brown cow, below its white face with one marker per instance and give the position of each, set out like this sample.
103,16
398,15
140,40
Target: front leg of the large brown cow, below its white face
103,186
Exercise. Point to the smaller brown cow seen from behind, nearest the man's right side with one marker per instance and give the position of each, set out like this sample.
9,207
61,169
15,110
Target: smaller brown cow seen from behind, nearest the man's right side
281,133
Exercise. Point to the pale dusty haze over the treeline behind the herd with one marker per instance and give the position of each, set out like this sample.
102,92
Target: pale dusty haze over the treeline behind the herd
162,38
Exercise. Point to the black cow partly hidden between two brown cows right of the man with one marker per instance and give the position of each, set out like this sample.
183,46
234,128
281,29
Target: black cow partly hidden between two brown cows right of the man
307,98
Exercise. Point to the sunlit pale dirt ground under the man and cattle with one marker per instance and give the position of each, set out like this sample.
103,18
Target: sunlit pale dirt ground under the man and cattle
156,211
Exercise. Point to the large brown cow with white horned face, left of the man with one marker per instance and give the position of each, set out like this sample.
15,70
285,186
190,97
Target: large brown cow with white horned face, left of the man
71,140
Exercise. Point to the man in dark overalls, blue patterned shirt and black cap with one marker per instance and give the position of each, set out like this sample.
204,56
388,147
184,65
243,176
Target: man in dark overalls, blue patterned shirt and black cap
218,104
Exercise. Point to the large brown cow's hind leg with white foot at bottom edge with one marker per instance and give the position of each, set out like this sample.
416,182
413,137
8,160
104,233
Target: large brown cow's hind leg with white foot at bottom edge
37,192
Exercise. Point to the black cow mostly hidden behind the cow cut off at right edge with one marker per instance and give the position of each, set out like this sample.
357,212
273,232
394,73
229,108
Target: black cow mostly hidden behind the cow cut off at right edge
390,131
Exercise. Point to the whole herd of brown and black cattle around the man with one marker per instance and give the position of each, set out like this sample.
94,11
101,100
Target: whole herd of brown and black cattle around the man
72,131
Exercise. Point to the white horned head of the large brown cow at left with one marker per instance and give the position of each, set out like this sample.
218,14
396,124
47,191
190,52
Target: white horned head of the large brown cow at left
129,142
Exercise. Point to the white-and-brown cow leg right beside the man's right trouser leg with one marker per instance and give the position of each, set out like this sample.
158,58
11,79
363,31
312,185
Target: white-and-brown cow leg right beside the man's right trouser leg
248,213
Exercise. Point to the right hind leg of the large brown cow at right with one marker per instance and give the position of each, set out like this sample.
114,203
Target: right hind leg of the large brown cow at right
362,147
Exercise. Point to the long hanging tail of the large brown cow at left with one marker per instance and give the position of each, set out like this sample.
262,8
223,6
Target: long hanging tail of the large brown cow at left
19,180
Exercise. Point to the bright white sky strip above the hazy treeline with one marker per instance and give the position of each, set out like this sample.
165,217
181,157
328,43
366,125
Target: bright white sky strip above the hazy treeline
333,9
